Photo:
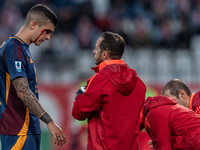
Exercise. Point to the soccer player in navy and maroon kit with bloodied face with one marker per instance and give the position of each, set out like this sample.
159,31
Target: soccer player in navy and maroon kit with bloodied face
20,109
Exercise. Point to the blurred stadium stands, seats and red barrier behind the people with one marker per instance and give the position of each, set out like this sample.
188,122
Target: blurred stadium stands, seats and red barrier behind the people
162,42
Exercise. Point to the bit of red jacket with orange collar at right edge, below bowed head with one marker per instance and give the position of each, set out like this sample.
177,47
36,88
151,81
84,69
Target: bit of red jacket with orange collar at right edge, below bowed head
195,102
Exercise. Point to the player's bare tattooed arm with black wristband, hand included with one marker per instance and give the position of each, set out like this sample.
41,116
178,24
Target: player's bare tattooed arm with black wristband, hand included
31,102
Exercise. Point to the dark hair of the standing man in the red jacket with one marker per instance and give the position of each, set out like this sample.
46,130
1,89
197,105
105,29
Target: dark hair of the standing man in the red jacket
113,43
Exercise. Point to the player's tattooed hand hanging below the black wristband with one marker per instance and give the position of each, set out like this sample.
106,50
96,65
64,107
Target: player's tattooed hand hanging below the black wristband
58,134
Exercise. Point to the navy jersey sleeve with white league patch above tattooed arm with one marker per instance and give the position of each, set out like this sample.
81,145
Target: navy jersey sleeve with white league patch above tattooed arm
15,60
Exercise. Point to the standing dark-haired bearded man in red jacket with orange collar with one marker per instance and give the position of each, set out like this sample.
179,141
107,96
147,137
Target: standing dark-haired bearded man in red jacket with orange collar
112,100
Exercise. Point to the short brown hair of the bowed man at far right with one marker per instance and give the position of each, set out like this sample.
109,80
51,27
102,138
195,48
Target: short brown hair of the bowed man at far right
174,86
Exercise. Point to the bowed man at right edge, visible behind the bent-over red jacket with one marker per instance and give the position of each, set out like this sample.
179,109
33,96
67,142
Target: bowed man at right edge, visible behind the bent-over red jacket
179,90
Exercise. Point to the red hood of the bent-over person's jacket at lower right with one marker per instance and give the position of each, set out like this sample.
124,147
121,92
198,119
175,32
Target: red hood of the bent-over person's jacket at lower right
152,102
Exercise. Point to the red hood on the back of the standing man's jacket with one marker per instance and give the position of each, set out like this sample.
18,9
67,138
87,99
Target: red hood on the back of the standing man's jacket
122,77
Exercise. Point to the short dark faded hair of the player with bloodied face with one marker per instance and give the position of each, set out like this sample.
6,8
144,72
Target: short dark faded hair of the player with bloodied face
42,14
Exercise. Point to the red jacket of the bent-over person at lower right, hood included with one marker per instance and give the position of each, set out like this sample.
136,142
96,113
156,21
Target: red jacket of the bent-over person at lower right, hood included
170,125
